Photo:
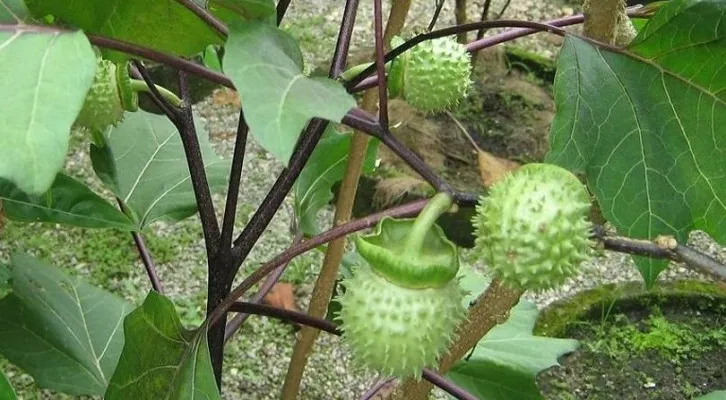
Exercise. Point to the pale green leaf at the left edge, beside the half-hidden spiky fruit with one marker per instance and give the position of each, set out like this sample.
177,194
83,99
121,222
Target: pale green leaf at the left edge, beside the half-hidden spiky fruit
46,77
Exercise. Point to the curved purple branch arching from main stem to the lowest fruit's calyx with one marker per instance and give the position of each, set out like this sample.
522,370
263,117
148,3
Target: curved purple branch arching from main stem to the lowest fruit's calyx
406,210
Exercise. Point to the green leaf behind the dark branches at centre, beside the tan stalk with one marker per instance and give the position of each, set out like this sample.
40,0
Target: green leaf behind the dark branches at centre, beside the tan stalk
325,167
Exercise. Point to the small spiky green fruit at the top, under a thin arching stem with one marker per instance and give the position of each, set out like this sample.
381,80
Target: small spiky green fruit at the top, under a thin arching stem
433,76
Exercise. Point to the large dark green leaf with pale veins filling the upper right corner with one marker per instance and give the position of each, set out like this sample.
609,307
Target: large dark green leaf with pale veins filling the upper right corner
648,125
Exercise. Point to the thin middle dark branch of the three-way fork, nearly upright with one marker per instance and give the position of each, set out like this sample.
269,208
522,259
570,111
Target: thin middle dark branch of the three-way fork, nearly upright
235,175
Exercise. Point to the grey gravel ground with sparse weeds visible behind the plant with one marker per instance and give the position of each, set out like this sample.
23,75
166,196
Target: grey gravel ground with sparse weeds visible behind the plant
257,358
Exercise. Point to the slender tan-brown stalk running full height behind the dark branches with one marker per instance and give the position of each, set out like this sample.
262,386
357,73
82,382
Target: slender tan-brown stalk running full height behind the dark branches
323,290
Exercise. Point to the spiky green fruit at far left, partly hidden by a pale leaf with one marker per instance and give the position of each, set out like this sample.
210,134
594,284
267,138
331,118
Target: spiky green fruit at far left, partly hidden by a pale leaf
103,106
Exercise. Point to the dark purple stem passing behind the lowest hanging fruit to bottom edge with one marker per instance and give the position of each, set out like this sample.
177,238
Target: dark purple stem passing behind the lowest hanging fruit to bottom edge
332,328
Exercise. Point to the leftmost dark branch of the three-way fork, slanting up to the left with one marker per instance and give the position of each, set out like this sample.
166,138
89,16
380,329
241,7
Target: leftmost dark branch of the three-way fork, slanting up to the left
198,175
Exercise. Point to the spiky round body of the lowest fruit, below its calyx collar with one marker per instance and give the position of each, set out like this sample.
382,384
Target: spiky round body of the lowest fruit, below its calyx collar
397,330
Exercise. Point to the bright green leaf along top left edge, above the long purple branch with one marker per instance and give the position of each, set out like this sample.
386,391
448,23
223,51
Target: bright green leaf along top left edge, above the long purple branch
162,25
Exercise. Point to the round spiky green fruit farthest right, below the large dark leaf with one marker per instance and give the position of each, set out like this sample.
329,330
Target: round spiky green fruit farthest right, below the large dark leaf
532,227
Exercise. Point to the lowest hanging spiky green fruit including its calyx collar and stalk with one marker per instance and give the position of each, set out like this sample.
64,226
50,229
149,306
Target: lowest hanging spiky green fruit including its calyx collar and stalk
400,311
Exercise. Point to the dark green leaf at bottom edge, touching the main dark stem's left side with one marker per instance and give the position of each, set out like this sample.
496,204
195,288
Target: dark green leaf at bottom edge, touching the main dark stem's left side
161,359
